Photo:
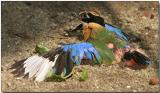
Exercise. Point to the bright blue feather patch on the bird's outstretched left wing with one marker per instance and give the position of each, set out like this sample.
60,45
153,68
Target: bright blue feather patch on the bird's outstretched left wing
80,50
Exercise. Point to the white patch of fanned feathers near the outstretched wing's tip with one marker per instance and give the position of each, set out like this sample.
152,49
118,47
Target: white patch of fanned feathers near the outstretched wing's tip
38,67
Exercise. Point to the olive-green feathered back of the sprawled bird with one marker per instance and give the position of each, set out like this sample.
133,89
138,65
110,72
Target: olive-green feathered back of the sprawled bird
100,41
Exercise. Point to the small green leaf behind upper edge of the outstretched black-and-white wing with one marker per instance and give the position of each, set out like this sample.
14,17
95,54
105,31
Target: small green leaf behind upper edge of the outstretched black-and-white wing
41,49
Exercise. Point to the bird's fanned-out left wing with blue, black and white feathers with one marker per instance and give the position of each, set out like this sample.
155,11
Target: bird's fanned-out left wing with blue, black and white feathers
60,61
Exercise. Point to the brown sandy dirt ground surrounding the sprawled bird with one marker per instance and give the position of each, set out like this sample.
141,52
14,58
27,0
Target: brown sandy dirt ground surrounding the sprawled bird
24,24
